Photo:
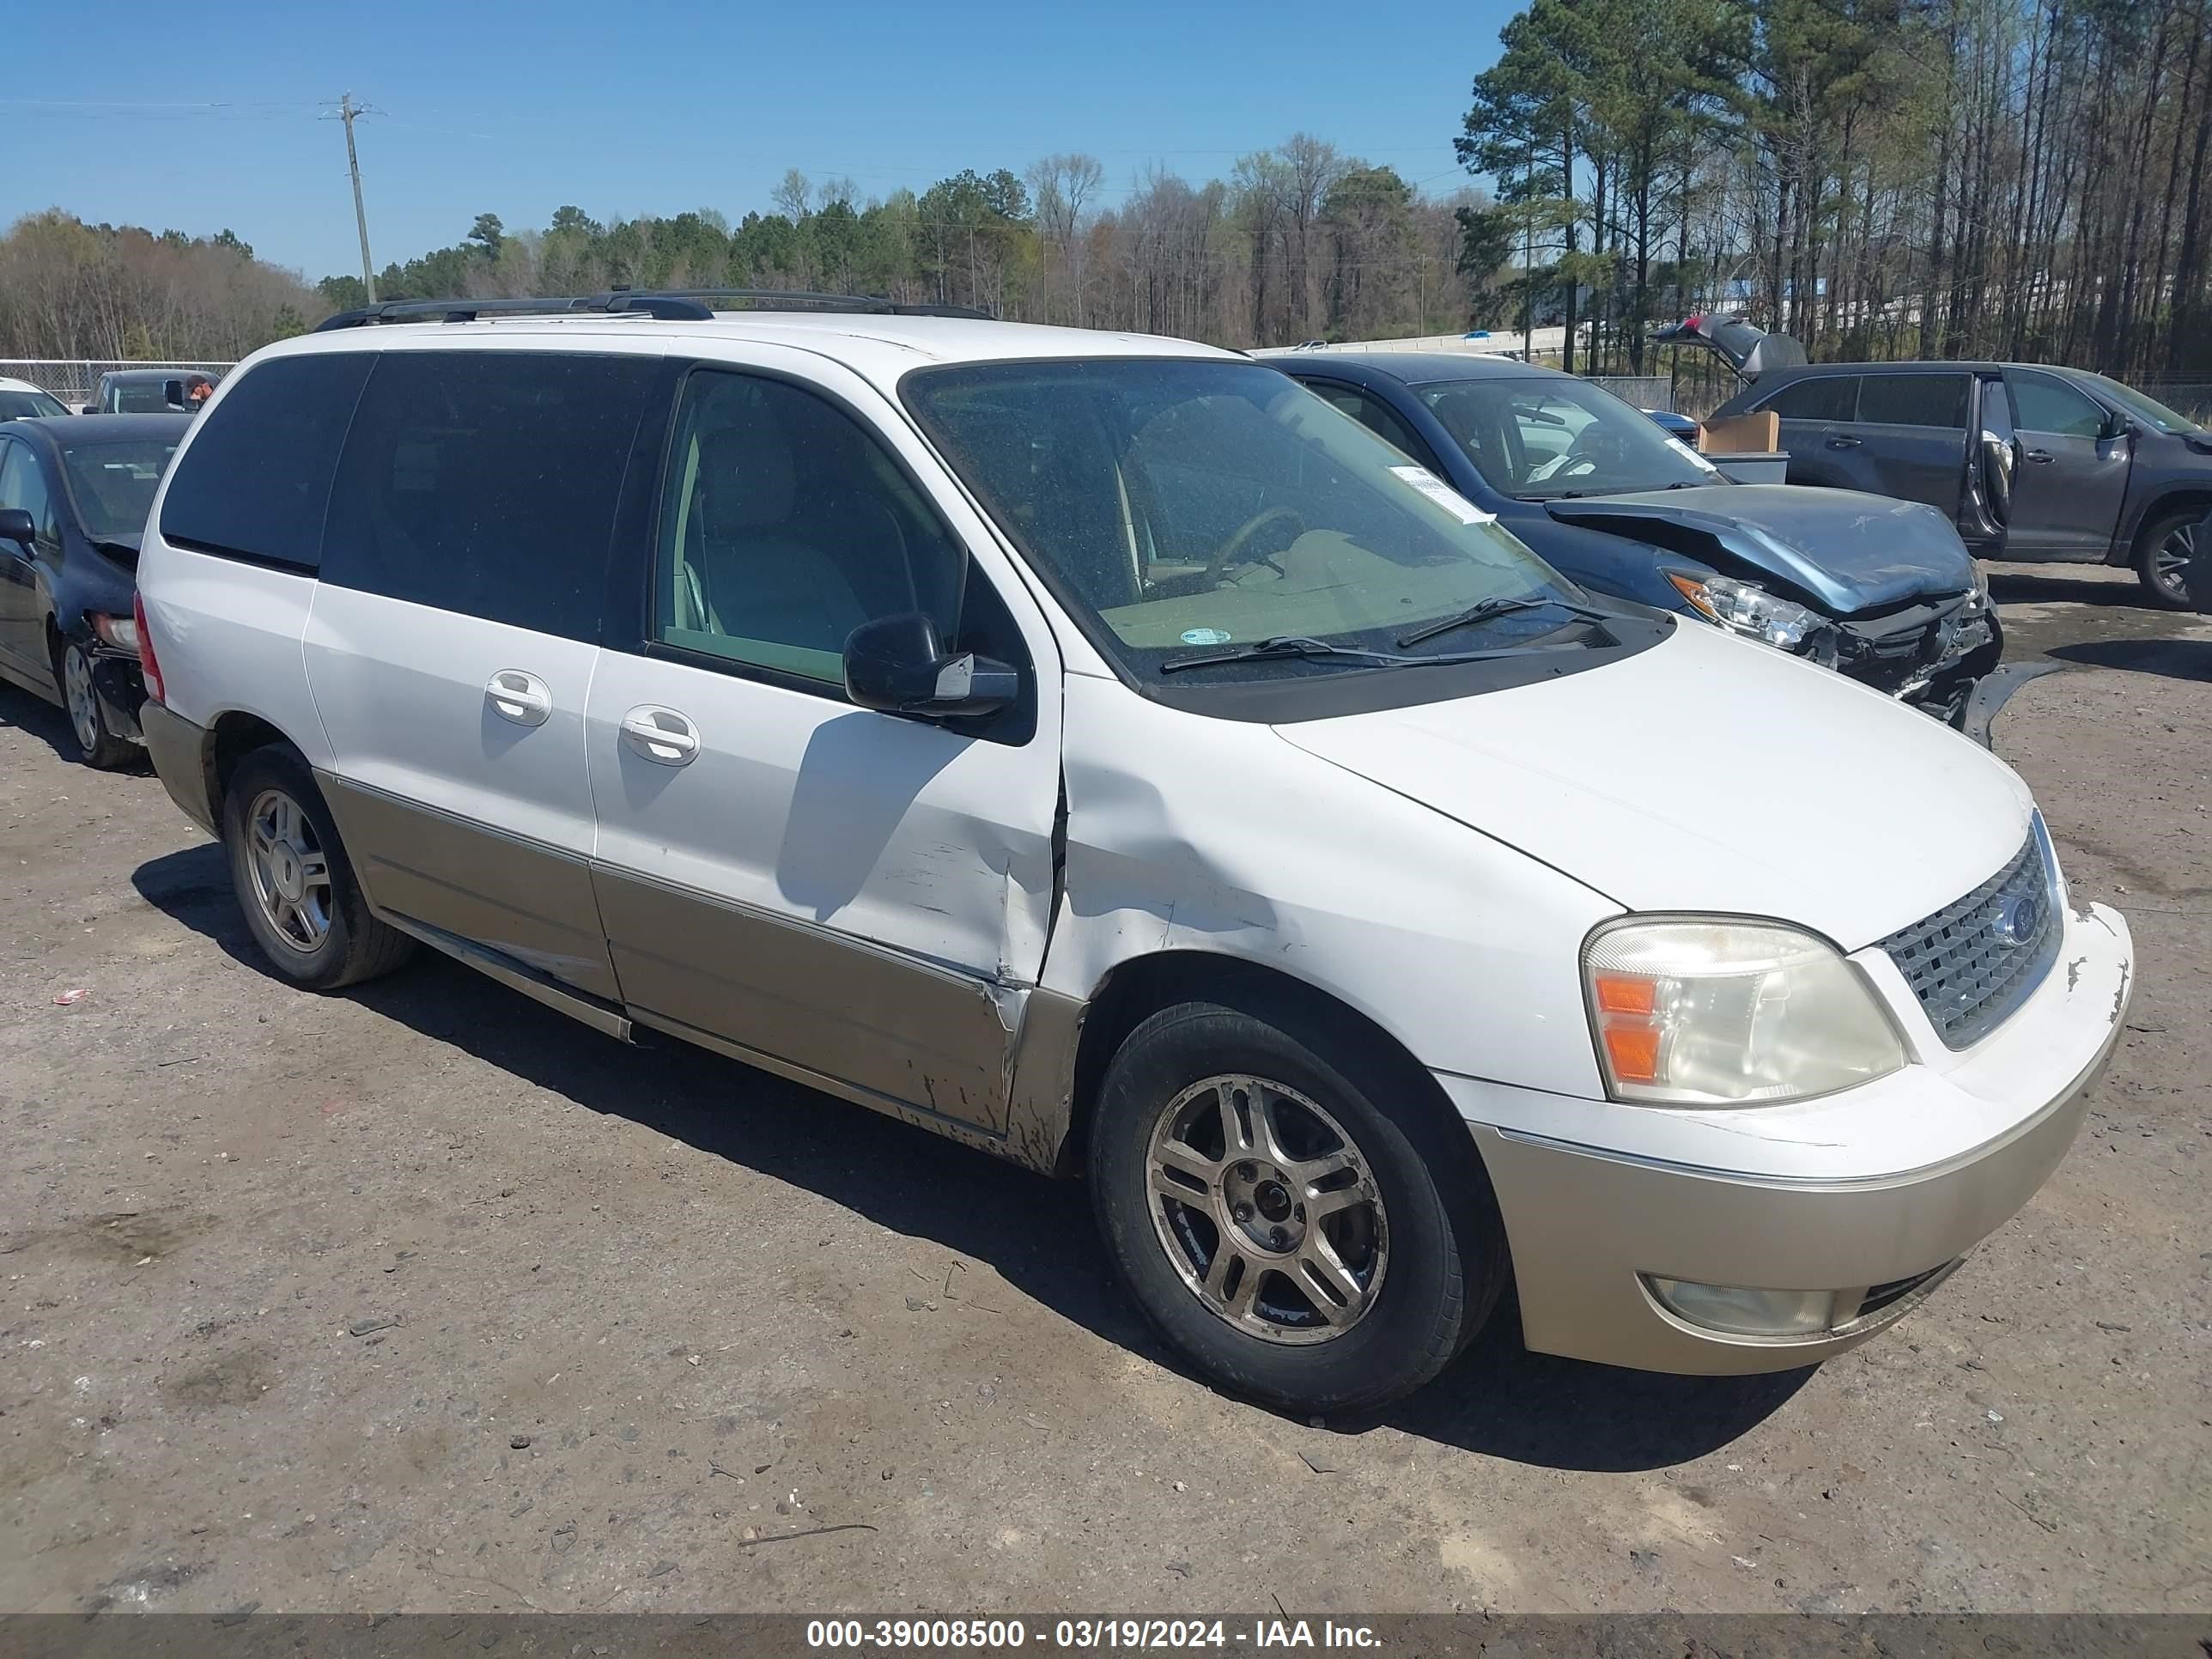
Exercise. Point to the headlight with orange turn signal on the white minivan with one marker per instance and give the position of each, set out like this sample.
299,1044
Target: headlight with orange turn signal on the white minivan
1731,1014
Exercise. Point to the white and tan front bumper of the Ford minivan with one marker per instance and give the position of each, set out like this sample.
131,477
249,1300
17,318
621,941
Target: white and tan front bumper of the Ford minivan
1868,1198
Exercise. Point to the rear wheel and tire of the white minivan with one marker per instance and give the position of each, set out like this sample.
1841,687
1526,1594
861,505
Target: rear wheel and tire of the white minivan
295,881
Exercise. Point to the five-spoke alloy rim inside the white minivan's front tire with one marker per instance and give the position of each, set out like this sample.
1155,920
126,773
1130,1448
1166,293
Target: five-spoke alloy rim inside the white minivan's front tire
1266,1209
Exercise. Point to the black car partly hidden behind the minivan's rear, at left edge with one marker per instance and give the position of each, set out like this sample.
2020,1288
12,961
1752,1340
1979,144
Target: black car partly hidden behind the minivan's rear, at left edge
74,499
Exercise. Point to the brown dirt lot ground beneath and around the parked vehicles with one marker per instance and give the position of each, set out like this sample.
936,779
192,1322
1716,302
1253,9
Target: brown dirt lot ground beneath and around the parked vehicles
430,1300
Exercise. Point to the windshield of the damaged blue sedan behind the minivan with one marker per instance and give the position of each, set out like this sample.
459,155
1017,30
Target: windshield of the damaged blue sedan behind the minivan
1545,437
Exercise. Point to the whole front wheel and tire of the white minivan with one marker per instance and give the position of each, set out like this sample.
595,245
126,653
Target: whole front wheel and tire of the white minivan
1286,1213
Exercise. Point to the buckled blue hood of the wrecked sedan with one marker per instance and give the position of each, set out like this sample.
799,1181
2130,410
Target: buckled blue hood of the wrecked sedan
1839,547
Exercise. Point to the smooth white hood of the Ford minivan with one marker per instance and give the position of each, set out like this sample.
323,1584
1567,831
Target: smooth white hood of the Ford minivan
1709,775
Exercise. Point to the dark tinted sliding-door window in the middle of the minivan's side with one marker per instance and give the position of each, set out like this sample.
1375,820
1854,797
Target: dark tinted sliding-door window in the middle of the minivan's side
486,483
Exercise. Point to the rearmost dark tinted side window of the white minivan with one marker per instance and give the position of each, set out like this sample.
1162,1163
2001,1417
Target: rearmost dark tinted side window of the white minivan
255,479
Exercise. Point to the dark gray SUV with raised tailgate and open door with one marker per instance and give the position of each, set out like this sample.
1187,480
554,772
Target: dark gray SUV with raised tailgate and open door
2032,463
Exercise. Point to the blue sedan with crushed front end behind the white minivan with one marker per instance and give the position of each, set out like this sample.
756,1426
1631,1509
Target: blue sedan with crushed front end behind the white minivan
1879,589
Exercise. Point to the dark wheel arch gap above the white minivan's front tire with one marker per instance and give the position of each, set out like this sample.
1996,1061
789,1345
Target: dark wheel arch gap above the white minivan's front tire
1142,985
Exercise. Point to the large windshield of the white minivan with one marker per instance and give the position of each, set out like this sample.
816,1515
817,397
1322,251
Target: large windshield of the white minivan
1196,505
